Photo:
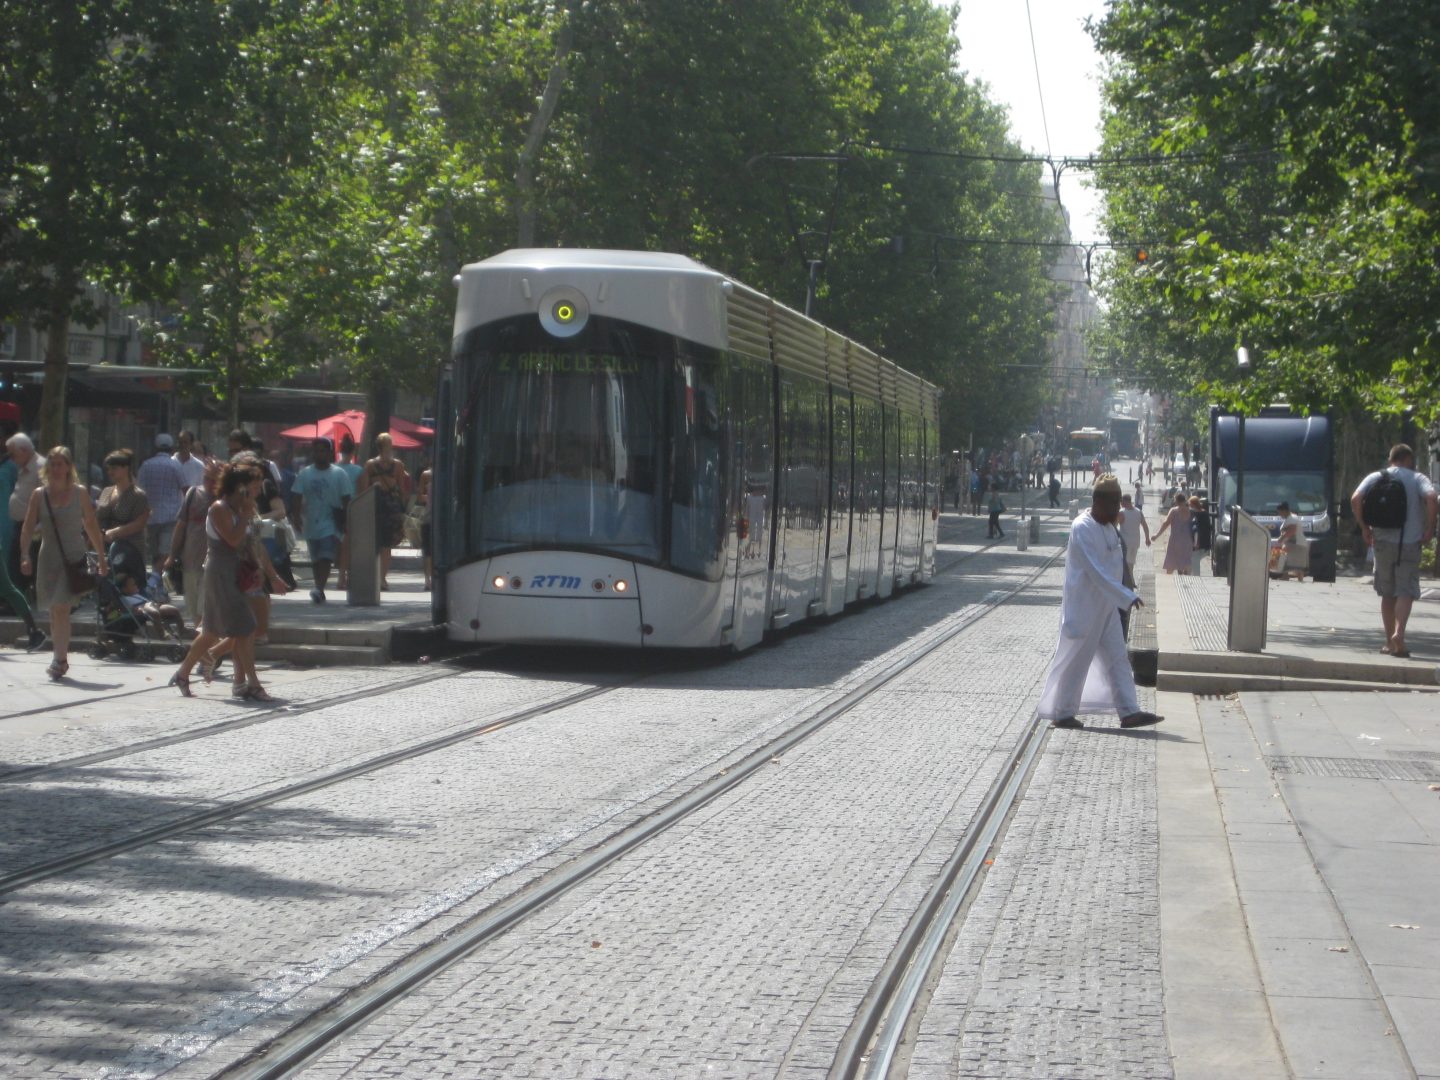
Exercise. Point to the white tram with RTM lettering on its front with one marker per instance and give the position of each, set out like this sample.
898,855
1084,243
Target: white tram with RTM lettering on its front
636,450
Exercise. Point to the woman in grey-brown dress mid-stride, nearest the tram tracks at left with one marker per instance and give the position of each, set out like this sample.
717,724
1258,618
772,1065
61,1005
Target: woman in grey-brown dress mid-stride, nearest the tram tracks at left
227,611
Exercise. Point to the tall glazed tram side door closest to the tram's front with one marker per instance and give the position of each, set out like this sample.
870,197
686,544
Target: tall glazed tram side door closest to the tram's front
754,415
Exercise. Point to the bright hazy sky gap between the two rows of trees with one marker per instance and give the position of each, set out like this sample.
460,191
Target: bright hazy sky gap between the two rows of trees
996,50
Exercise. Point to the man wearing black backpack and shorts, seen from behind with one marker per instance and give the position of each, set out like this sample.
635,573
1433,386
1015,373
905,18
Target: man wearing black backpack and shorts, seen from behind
1396,512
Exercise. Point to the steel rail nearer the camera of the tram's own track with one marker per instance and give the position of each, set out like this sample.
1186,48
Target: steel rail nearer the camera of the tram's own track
41,872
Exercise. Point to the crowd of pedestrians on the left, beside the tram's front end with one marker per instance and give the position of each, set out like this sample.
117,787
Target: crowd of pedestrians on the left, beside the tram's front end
217,531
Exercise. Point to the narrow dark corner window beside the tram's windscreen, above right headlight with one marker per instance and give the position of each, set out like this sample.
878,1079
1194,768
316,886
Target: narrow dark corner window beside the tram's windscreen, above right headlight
699,506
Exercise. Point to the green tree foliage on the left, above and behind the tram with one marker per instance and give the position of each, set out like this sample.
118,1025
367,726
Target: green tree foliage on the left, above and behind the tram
302,179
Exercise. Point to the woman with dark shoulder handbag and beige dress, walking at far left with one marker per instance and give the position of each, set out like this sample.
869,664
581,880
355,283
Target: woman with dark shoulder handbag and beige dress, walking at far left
63,510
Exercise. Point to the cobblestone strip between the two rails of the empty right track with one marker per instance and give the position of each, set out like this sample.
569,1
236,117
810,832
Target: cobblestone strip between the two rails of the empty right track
741,942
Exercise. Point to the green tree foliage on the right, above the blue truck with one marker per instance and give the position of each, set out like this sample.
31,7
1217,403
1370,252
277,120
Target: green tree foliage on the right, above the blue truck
1298,214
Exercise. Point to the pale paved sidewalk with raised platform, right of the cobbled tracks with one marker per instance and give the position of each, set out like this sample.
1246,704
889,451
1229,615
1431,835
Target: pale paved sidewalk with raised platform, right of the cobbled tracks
1300,809
